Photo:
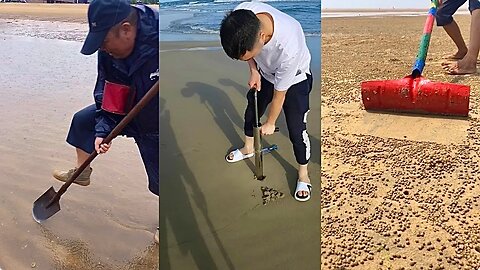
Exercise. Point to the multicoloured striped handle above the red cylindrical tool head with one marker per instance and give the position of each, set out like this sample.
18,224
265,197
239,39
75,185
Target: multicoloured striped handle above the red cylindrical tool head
425,40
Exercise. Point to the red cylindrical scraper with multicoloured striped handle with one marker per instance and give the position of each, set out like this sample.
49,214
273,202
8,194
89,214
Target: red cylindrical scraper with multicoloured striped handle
414,93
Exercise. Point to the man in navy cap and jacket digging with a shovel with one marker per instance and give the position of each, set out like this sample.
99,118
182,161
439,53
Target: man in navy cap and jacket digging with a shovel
127,41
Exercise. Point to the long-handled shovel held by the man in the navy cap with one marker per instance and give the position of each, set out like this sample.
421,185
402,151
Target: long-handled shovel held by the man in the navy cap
49,203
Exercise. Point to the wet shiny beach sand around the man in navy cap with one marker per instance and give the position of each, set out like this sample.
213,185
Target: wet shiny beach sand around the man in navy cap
108,225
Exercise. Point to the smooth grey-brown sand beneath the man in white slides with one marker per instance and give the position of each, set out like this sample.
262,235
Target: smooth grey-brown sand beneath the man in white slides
212,214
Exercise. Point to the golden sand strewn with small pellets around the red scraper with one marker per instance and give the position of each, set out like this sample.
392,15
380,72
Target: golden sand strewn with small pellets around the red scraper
398,191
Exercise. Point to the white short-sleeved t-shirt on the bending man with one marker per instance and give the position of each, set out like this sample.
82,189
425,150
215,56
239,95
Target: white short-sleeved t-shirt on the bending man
285,59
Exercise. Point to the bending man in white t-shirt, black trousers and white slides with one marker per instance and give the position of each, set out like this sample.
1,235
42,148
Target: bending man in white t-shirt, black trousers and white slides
273,44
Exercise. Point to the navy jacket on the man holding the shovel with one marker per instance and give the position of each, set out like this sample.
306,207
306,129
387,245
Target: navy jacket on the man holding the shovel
140,71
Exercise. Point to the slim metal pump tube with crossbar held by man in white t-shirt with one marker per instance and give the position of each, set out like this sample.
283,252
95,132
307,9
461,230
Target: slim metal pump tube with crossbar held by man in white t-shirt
257,142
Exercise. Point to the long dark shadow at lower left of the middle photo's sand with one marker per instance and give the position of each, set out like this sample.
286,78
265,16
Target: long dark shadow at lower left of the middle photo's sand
179,185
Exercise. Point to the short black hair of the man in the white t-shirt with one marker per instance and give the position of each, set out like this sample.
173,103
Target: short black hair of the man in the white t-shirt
239,32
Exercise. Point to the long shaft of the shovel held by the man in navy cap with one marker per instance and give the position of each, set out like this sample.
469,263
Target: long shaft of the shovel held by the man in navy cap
114,133
